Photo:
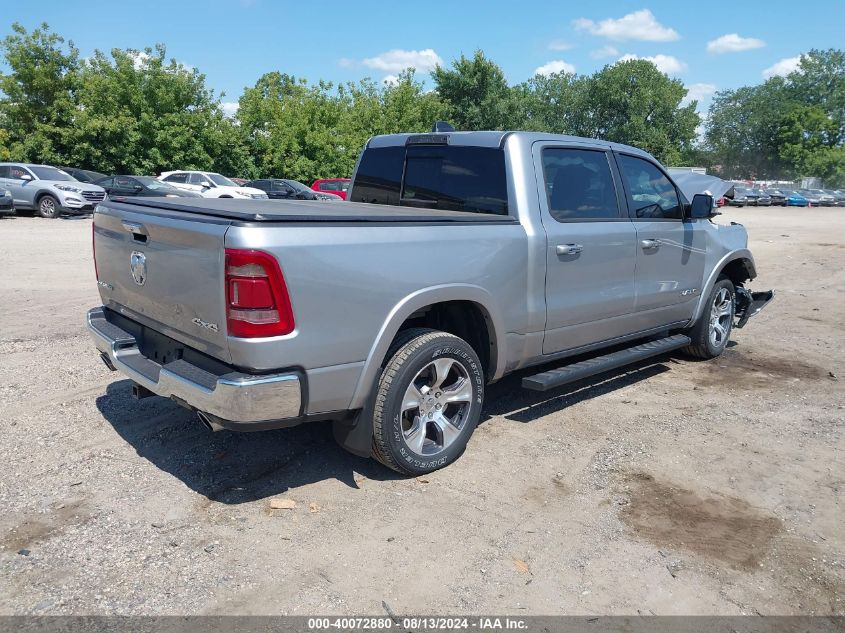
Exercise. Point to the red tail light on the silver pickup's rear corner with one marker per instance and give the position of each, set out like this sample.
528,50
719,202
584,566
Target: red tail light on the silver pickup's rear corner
257,301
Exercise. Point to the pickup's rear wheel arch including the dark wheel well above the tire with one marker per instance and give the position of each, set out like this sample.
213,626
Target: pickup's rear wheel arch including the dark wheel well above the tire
444,302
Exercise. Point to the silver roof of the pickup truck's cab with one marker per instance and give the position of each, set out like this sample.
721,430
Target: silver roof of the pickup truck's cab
490,138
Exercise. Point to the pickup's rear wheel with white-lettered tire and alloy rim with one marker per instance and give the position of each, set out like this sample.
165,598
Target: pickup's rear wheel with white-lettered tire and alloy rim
427,402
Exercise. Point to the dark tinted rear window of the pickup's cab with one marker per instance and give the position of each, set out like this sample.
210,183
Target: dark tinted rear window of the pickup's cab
435,177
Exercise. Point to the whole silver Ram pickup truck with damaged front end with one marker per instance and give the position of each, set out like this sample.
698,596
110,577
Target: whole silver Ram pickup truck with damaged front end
461,257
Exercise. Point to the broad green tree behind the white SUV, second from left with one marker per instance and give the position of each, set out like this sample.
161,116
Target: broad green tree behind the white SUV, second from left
139,113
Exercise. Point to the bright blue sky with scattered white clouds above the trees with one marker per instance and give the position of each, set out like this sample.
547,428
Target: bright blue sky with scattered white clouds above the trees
710,46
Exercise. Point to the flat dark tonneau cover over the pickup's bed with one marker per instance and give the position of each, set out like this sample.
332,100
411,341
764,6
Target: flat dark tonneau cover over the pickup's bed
305,210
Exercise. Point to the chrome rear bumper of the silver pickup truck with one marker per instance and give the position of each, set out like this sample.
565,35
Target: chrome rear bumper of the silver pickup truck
236,397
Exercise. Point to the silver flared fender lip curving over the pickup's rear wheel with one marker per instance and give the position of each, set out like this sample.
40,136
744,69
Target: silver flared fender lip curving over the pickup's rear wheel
417,301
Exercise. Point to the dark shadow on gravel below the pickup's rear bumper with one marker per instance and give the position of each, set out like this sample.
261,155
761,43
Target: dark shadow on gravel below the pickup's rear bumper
227,467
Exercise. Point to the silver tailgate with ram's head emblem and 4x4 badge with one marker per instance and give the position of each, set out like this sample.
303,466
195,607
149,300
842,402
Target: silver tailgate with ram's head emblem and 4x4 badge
165,272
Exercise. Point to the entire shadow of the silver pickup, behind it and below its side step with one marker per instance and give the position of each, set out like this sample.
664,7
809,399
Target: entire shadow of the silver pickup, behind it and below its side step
234,468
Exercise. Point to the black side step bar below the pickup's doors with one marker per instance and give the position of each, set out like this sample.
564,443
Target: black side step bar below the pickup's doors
570,373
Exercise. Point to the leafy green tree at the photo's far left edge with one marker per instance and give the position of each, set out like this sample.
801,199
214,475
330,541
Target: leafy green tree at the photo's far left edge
38,106
